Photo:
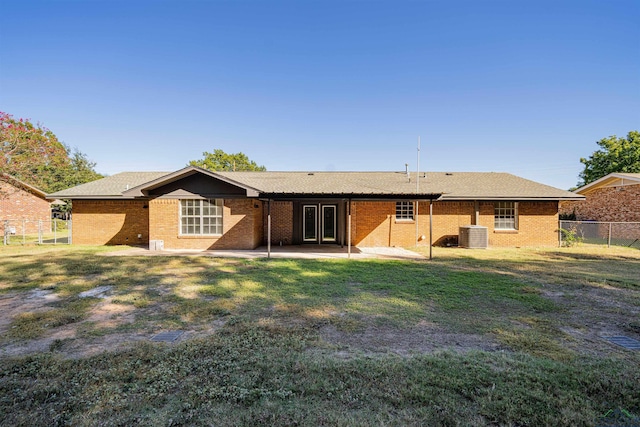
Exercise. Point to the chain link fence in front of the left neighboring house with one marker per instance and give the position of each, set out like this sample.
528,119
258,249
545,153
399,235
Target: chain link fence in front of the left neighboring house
43,232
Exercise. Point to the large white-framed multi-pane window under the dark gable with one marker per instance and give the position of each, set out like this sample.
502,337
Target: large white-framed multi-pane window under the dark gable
201,217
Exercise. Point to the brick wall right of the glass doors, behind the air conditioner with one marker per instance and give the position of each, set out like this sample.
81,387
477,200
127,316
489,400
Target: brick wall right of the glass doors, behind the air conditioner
374,224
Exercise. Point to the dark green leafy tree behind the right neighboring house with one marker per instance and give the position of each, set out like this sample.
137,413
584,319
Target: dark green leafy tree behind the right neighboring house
616,155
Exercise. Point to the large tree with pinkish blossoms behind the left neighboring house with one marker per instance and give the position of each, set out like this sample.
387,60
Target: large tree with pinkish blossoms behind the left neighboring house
33,154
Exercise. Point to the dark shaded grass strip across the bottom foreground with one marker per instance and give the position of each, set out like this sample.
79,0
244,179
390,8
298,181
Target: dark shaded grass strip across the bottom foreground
258,376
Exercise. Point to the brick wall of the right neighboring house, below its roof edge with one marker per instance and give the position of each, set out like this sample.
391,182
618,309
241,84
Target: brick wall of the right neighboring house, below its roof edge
617,204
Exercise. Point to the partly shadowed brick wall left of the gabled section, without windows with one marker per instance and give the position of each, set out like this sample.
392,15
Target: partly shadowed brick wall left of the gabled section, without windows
110,222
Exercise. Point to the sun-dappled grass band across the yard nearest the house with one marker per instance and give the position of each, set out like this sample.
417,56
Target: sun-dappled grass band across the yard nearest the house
460,292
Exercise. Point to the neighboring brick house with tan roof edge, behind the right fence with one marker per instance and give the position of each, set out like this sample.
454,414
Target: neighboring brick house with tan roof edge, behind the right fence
613,198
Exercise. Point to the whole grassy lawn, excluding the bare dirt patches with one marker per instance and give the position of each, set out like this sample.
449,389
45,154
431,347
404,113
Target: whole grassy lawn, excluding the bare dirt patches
254,373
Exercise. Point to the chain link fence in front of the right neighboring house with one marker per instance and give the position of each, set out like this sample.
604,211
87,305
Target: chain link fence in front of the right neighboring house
600,233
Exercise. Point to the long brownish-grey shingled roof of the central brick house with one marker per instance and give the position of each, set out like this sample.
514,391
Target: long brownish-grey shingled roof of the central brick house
452,186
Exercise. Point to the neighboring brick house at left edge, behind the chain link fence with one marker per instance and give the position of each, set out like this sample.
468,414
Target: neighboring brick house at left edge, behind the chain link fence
23,206
